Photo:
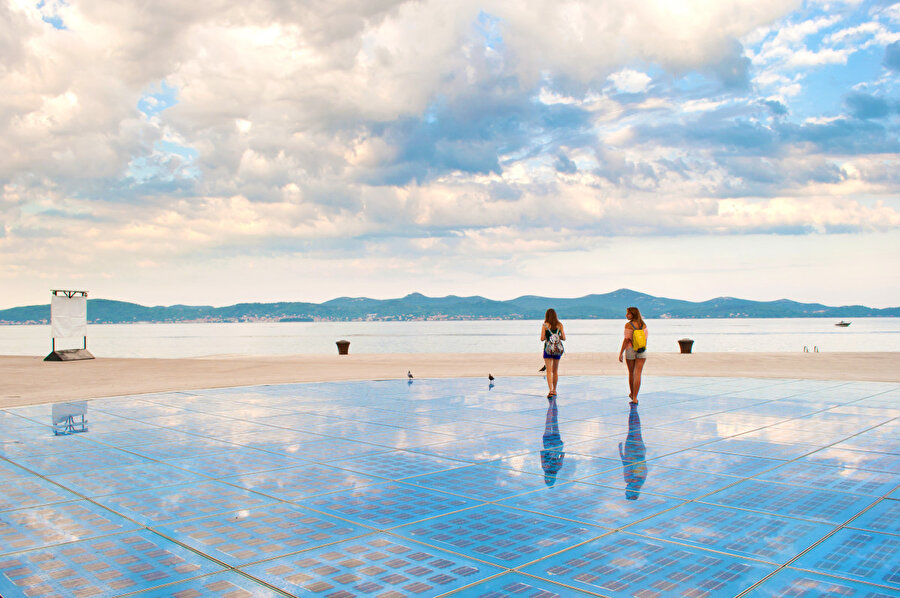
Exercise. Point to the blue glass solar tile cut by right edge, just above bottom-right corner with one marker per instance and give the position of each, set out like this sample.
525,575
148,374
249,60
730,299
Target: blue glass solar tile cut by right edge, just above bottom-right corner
856,554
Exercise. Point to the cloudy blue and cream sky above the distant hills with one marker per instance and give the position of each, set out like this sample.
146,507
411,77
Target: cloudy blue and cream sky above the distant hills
281,150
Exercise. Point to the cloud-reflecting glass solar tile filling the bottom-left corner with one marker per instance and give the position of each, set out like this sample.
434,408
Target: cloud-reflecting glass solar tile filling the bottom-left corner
100,568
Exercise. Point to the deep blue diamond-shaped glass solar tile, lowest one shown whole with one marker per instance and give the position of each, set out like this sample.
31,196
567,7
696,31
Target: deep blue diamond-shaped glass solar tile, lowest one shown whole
500,535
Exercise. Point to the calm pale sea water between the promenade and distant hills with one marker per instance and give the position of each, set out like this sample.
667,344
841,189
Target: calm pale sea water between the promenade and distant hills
194,340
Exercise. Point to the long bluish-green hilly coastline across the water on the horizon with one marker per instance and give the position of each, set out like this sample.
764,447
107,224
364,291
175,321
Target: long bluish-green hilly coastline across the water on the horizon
417,307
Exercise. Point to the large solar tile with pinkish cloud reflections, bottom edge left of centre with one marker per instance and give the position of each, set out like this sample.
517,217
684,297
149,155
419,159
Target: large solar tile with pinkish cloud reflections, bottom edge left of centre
379,565
